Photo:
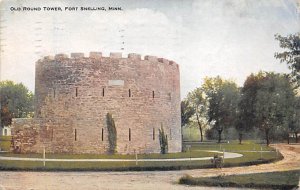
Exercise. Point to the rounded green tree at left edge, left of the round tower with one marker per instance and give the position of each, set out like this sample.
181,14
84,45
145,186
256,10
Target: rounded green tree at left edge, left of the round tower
15,101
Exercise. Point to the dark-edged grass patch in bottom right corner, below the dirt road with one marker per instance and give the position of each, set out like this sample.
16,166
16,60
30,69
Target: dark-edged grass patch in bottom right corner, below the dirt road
273,180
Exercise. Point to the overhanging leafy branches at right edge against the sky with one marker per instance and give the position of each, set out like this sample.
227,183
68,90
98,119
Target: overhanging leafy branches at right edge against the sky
291,55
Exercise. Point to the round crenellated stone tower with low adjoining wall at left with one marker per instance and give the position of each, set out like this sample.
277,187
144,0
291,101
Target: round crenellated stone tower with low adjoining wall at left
74,95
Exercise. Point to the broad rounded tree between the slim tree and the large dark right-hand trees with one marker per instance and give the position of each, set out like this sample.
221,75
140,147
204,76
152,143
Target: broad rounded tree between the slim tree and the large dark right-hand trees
222,96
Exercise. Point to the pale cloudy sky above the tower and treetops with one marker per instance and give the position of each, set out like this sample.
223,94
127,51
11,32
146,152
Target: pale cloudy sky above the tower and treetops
230,38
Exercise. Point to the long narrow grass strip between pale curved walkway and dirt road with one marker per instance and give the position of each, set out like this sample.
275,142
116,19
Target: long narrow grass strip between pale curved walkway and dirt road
102,166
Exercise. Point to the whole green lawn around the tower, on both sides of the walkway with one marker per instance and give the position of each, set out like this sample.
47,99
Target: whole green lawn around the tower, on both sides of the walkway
197,150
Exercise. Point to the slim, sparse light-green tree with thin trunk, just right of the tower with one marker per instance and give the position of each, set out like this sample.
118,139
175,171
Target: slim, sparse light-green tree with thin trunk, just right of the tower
198,105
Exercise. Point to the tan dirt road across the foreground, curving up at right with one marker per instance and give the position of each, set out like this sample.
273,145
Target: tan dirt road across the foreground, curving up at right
148,180
